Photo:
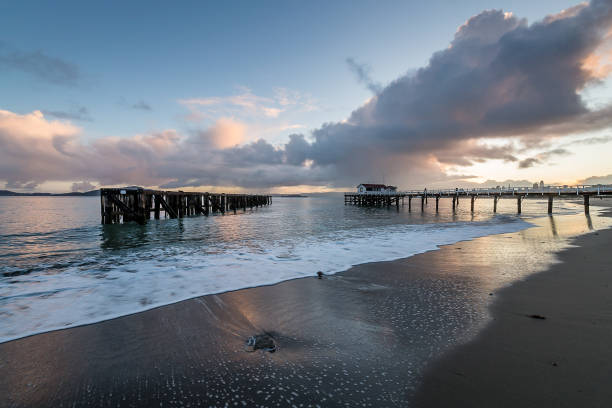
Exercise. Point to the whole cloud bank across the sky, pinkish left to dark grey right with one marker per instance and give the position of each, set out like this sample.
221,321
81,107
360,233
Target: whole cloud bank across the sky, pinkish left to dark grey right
499,78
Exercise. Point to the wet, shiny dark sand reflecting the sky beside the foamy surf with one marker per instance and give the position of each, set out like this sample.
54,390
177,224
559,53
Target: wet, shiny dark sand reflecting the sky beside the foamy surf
359,338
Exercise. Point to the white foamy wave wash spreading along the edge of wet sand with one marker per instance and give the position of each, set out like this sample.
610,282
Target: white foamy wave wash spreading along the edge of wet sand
44,302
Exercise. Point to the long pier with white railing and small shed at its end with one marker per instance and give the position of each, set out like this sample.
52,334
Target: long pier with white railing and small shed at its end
388,199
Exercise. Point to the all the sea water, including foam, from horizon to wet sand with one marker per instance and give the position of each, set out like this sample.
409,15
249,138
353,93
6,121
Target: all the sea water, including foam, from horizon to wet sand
60,268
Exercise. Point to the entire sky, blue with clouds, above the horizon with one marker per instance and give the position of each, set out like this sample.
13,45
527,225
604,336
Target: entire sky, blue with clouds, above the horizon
294,96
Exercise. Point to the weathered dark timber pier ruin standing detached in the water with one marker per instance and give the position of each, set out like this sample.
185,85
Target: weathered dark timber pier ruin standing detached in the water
121,205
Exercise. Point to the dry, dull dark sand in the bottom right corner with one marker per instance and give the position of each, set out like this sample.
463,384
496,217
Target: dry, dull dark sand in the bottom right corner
518,361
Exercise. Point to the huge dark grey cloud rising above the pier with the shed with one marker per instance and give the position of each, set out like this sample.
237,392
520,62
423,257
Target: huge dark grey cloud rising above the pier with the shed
500,77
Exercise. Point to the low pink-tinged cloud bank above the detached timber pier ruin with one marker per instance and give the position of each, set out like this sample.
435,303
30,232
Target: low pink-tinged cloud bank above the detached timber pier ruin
36,149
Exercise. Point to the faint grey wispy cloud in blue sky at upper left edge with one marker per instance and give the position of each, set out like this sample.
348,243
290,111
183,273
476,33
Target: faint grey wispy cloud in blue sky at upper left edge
40,65
